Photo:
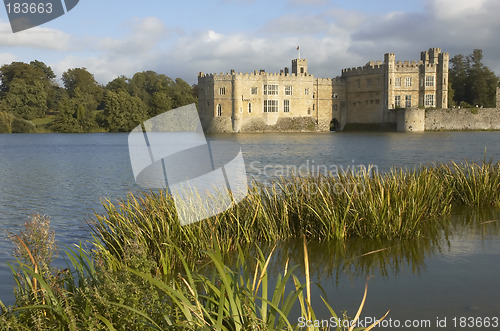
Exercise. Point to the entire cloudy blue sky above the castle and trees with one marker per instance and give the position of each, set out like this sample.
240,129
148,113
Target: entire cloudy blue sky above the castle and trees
181,38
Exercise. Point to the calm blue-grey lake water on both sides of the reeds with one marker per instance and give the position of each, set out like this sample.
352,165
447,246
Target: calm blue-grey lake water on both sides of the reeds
65,175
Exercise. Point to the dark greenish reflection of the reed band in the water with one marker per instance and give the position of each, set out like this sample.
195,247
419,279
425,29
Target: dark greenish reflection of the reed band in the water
460,234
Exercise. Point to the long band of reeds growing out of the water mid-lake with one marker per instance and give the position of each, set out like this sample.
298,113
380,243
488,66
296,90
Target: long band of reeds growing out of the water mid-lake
400,204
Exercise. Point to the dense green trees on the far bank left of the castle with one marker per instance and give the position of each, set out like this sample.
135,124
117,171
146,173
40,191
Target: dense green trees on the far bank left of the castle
29,91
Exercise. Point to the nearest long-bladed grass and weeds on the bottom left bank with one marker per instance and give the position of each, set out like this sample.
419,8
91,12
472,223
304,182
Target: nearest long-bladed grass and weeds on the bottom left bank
86,296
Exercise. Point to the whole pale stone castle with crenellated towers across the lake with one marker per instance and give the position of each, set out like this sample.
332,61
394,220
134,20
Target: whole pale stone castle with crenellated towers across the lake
297,101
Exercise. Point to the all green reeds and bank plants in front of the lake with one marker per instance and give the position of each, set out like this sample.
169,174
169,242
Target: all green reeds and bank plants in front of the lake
144,270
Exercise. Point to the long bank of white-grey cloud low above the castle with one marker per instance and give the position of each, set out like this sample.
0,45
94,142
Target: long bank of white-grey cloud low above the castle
331,40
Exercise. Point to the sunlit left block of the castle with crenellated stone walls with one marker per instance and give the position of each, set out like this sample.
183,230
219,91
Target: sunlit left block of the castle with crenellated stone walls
236,102
